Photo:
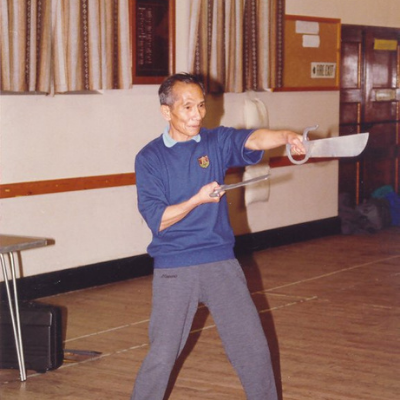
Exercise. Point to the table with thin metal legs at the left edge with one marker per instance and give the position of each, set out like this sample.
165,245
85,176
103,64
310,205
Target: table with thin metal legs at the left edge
10,244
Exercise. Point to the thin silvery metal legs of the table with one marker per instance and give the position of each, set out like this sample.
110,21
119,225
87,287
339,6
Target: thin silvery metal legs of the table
14,312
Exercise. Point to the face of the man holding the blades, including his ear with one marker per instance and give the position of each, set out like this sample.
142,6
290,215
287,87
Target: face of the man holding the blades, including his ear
185,116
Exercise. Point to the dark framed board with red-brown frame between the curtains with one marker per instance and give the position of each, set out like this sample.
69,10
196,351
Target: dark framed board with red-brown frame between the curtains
153,40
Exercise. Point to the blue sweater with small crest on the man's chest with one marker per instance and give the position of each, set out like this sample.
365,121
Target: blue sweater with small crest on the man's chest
170,175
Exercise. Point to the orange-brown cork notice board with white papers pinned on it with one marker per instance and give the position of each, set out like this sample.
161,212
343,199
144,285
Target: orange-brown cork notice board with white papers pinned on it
311,53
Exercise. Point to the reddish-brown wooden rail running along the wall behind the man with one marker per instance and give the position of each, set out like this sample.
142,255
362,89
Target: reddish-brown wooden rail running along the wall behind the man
10,190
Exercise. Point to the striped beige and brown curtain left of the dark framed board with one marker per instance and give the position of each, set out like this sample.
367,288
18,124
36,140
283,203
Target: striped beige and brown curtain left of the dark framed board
64,45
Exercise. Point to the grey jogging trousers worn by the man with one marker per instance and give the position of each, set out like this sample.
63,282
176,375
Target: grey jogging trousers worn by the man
222,287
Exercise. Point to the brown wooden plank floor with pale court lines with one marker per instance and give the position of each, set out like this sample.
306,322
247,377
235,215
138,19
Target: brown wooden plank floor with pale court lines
330,308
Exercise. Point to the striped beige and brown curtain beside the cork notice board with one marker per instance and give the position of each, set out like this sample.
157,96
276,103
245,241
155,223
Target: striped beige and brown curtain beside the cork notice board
230,43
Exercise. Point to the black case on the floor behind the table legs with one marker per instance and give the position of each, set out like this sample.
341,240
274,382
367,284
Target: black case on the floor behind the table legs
42,336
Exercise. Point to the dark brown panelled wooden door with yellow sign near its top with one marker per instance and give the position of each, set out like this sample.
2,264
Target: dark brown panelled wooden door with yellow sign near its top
369,102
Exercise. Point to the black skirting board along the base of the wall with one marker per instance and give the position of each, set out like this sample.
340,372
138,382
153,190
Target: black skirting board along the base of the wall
57,282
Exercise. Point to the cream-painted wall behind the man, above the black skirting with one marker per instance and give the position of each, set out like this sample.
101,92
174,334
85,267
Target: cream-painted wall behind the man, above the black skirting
45,137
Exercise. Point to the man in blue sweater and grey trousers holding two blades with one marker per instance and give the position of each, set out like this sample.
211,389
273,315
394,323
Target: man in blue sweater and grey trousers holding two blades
193,241
